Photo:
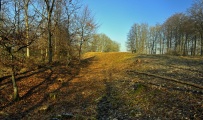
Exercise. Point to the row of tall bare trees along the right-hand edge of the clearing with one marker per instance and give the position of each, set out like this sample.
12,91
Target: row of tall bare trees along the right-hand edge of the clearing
180,34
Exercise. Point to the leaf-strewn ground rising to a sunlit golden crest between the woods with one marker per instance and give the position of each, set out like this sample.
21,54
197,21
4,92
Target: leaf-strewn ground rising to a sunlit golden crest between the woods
109,86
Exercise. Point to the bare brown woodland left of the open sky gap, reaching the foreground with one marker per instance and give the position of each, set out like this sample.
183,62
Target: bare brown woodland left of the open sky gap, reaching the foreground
45,31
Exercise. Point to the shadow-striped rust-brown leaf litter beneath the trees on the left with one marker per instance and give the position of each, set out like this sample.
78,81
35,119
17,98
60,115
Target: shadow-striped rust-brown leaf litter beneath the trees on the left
36,88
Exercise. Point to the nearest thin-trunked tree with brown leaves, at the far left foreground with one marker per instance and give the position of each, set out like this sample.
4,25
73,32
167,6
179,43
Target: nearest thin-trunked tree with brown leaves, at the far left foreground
13,42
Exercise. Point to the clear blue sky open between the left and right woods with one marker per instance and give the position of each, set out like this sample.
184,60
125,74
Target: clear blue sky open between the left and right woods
117,16
